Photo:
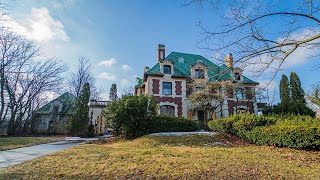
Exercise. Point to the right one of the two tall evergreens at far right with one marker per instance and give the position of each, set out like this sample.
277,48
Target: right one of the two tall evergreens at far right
297,92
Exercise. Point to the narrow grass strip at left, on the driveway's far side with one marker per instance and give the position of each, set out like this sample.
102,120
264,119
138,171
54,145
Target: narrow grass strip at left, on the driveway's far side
16,142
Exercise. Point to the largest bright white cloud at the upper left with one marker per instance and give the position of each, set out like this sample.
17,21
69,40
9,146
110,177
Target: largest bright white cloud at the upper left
38,26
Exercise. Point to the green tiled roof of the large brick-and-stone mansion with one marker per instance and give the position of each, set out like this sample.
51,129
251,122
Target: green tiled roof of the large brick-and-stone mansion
182,69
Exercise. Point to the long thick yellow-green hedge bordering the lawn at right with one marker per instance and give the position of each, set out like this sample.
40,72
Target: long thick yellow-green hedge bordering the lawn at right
302,132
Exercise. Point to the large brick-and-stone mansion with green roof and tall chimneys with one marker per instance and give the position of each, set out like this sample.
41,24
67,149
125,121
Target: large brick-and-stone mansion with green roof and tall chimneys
167,82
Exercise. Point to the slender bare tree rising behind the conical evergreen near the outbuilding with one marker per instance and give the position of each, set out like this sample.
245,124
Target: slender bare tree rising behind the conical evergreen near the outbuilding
81,76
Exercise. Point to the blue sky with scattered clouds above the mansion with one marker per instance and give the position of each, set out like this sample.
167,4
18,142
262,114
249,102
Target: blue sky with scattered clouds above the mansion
121,37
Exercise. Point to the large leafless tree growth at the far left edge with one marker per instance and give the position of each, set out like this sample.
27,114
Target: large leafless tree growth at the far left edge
23,80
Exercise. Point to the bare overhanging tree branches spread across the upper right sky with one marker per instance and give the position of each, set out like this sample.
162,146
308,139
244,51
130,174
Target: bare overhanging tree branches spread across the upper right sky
261,35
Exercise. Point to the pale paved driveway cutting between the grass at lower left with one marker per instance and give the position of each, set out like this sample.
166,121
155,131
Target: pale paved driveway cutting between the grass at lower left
20,155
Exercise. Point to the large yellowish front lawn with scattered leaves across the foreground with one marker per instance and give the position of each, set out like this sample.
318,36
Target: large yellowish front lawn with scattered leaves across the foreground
171,157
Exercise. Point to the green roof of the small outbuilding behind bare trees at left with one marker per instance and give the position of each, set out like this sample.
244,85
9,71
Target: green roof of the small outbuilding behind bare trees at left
66,99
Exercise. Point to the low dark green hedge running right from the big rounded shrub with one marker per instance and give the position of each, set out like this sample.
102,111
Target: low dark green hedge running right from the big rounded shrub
164,123
